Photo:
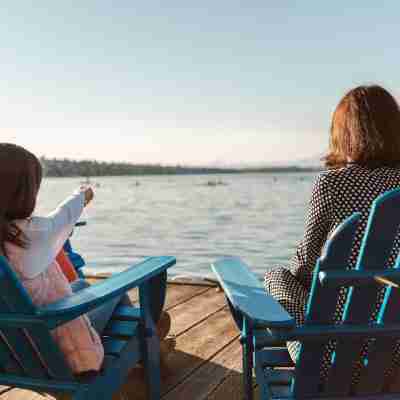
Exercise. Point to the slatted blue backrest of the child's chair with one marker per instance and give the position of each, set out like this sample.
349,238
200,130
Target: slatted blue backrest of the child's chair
27,348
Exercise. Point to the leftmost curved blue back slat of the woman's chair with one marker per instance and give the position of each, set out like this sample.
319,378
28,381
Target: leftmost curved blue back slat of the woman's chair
321,308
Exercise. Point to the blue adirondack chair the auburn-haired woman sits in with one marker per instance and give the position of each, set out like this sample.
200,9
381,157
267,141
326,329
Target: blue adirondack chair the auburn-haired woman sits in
266,327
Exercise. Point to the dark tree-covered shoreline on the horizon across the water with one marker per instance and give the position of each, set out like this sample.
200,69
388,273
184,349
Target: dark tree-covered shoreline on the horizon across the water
89,168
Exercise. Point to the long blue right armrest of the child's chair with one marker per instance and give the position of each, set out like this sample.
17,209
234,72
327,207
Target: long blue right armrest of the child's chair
71,307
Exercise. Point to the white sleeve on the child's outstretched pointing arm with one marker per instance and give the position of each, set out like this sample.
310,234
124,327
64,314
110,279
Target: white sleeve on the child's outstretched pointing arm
47,235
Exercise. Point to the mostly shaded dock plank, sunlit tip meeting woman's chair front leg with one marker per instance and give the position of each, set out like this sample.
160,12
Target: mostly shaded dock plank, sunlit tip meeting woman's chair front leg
206,378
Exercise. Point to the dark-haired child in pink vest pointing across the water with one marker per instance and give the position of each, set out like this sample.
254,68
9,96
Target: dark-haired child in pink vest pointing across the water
31,245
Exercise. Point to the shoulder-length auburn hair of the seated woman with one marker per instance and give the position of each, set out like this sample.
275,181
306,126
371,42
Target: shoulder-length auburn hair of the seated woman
365,129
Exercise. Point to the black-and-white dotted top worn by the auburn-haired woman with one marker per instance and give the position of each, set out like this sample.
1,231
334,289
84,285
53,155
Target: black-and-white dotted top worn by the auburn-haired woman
336,195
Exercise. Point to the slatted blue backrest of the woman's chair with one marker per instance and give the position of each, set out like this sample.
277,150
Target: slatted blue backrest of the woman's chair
362,291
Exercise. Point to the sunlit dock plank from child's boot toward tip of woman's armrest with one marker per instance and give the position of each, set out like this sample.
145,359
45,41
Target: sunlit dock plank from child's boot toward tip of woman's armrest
195,310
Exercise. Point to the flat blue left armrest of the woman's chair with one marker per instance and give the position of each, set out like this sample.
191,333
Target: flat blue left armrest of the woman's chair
247,295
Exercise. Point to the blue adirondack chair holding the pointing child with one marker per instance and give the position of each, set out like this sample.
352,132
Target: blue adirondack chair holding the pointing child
30,358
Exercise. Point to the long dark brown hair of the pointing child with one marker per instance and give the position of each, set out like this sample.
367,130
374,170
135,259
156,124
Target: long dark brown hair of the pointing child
20,178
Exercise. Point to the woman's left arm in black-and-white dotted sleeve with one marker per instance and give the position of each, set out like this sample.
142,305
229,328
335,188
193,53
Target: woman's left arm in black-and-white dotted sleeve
318,224
